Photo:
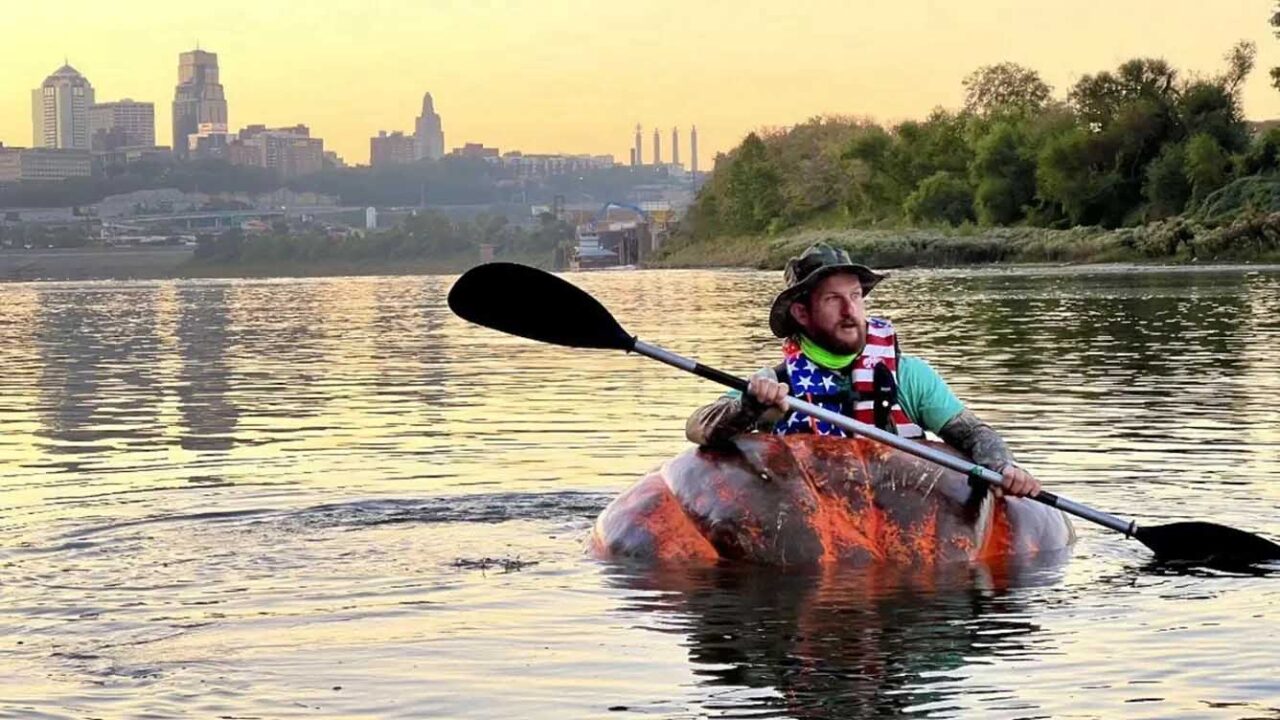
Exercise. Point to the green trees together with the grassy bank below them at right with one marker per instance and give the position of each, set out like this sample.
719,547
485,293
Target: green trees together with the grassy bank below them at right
1142,163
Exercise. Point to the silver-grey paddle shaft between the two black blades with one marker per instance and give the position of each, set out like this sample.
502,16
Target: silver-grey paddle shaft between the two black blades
911,448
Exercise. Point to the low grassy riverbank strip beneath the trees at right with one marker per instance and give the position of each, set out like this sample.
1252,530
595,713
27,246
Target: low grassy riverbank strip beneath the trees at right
1254,239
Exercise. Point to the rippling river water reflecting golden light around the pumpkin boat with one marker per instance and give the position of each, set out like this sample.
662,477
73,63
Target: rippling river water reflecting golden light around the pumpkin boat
271,499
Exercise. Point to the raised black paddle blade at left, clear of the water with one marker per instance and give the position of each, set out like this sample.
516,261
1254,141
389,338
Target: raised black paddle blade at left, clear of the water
529,303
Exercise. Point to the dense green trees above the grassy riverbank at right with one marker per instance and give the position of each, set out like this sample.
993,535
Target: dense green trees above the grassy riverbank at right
1124,147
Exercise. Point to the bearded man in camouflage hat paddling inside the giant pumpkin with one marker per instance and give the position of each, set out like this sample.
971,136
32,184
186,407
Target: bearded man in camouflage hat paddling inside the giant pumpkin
838,358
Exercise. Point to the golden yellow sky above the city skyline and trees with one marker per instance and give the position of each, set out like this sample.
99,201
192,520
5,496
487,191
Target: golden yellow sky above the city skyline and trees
577,76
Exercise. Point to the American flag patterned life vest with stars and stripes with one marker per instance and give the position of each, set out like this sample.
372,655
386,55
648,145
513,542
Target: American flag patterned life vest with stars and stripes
871,398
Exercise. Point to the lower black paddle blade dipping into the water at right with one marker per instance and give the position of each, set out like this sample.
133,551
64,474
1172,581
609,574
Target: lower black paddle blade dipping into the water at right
1208,544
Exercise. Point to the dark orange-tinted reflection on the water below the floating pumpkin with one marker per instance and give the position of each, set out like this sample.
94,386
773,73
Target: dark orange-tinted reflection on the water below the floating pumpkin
839,642
